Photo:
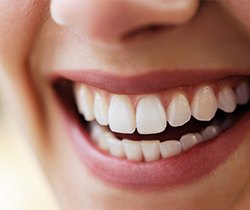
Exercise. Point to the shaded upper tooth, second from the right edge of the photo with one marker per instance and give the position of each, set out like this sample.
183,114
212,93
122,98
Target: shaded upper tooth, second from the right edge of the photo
227,99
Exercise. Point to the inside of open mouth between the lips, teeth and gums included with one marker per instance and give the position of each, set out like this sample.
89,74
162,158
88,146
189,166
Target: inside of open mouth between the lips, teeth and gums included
156,126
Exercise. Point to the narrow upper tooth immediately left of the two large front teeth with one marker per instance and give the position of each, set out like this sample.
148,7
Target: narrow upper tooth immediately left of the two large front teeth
101,109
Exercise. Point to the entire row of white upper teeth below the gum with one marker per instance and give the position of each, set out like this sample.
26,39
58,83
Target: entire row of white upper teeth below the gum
149,116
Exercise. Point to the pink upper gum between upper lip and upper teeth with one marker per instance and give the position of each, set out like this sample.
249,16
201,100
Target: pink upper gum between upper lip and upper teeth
166,95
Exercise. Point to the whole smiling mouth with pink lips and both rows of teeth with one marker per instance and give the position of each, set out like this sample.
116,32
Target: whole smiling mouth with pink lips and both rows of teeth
165,134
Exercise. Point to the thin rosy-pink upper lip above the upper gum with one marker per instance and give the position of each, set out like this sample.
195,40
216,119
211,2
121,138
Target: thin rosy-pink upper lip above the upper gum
153,81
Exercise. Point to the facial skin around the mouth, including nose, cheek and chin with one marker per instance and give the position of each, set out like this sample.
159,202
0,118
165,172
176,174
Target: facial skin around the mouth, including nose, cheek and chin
33,43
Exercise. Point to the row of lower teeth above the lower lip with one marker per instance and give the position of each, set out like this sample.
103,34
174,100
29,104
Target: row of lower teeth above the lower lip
151,150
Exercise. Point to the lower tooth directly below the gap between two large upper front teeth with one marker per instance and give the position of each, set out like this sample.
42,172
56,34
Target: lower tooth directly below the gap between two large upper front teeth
132,150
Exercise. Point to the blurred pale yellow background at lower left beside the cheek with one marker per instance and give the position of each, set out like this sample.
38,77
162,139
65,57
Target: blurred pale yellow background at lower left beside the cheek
23,185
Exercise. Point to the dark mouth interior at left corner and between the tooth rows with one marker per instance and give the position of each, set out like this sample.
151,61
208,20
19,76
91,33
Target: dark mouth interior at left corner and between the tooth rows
64,92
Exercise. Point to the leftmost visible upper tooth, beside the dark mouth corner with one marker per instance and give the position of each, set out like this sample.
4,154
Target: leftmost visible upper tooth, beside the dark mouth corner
84,100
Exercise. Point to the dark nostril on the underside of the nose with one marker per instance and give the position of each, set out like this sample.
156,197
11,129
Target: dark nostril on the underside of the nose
145,31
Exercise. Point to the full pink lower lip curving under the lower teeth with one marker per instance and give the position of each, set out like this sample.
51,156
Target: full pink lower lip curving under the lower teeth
179,170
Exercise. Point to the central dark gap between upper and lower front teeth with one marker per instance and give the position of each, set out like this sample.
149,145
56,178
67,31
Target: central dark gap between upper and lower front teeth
170,133
